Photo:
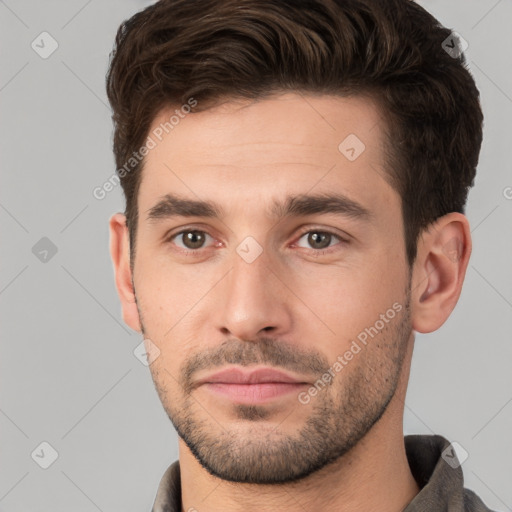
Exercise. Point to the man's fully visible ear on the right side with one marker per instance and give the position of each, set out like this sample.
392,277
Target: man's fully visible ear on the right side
439,270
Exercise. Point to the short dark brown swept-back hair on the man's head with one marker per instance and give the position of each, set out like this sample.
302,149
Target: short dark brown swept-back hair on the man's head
394,50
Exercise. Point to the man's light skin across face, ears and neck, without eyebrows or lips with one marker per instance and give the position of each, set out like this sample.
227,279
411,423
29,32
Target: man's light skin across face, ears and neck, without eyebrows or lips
297,307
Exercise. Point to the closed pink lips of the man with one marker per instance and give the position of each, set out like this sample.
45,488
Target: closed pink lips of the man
256,387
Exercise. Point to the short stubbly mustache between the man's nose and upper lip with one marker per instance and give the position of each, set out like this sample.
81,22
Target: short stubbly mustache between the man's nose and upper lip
265,350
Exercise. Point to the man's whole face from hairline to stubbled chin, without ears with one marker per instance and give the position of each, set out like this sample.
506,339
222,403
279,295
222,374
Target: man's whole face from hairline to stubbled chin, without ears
291,257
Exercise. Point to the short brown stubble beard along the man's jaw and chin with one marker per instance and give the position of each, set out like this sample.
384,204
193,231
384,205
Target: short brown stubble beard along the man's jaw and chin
341,414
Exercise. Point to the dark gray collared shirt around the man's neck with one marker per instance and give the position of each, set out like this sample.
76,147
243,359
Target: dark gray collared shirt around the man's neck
439,478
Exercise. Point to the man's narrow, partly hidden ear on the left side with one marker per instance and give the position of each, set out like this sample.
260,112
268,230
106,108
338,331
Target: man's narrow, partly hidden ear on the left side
120,254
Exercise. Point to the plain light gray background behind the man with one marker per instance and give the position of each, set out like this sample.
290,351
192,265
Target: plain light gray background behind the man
68,372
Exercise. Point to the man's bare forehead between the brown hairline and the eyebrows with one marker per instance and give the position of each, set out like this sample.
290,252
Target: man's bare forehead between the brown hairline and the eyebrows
245,151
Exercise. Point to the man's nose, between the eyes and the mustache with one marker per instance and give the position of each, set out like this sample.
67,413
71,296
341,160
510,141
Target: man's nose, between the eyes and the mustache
252,299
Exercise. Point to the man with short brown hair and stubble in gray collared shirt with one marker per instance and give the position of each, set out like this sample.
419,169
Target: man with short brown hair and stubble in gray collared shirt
295,175
